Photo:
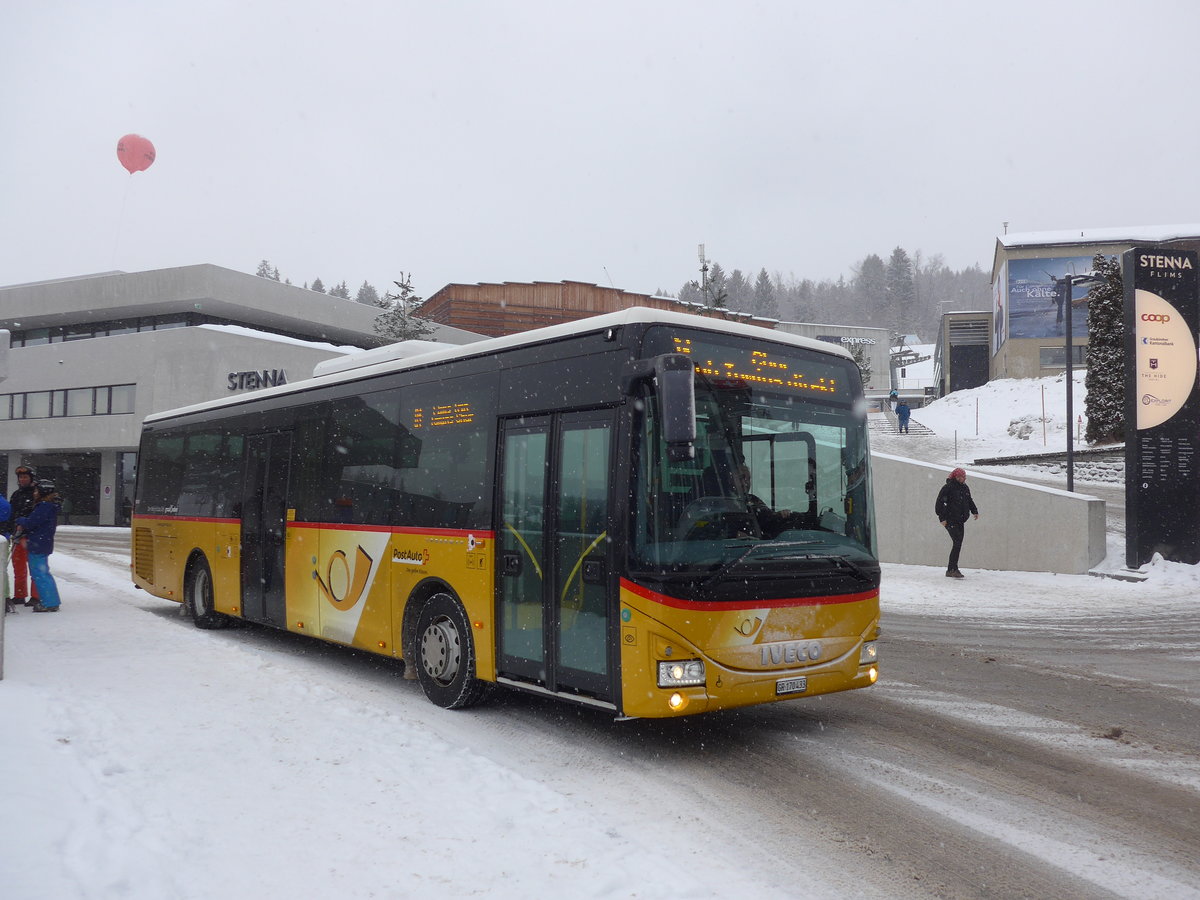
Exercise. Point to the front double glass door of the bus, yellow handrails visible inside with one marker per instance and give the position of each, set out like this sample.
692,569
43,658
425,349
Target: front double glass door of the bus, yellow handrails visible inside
555,560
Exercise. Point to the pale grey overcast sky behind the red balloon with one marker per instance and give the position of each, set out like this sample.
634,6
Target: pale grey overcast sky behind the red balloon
524,141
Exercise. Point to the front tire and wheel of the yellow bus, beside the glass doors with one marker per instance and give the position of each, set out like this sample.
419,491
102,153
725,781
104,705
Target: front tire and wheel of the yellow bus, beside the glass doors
445,655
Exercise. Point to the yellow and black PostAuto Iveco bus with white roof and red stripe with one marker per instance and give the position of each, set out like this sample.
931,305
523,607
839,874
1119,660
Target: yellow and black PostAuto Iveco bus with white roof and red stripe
649,513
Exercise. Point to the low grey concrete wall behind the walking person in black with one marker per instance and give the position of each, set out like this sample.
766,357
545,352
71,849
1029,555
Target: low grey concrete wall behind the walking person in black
1022,527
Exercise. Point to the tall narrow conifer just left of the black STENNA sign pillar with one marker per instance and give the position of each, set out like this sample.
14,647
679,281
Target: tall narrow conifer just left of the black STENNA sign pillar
1106,355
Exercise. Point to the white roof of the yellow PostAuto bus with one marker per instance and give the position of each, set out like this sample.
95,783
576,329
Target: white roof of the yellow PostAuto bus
416,355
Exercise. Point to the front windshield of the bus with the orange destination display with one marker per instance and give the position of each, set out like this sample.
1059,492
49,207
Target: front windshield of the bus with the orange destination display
781,467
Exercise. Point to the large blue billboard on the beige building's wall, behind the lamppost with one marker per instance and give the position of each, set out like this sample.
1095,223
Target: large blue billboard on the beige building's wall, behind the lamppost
1036,304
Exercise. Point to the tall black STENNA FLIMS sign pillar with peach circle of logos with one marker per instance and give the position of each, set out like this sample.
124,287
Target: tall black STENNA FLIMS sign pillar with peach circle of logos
1162,322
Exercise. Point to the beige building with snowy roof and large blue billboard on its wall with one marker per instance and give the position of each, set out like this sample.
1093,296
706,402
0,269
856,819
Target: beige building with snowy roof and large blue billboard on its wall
1029,314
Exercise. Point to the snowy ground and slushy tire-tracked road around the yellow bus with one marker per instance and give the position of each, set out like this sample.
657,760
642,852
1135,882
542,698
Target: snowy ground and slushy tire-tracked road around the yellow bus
1049,751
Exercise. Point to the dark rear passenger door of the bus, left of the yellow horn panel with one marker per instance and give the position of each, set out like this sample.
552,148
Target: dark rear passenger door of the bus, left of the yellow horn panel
265,509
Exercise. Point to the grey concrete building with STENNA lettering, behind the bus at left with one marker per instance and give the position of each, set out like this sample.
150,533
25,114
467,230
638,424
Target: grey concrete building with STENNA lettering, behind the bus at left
92,357
